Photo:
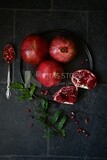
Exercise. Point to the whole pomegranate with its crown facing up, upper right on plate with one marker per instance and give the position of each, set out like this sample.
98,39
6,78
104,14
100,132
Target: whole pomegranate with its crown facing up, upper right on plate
62,49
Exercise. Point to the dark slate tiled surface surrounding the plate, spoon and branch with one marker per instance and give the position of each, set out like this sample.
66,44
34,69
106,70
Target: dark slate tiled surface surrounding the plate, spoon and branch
88,19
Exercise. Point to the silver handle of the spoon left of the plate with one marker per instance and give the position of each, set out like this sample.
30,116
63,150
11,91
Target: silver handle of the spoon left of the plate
8,92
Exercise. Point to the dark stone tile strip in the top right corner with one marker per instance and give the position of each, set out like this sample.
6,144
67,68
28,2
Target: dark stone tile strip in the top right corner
80,5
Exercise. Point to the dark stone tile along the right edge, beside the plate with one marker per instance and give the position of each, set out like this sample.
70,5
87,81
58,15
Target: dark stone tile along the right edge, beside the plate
98,43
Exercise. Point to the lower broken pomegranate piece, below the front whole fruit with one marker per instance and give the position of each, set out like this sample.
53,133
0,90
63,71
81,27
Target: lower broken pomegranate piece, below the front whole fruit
66,95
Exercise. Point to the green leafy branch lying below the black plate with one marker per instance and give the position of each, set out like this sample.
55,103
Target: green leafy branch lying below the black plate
55,120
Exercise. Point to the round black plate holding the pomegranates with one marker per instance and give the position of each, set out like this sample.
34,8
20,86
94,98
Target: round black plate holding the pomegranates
83,60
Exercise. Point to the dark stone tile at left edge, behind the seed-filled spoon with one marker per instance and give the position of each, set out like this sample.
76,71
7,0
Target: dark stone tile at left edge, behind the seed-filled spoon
6,36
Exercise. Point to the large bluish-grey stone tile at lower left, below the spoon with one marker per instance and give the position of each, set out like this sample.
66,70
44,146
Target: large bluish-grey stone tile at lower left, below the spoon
16,137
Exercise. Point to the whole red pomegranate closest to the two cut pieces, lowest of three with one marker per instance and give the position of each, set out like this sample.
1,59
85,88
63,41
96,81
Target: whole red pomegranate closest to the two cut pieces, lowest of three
49,73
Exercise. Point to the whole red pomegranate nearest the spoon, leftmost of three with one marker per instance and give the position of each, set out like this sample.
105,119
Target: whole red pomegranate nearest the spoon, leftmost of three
33,49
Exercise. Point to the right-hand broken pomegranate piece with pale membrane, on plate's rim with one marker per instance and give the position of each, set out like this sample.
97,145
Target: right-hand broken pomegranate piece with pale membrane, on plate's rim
84,79
